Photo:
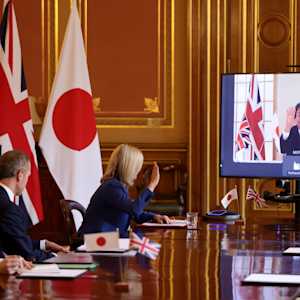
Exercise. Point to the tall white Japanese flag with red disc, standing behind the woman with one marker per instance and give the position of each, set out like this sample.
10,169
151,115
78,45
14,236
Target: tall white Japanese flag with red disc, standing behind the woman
69,139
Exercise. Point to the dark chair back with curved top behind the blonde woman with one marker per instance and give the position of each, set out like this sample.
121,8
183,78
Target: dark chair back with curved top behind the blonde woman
67,206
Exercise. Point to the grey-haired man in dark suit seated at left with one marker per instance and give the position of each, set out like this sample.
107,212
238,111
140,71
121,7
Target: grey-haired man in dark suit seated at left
14,173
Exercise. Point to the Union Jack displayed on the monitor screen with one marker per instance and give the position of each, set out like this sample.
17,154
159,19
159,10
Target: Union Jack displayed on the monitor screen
251,132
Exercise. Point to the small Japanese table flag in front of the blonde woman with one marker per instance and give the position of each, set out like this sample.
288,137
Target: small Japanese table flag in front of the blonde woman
102,241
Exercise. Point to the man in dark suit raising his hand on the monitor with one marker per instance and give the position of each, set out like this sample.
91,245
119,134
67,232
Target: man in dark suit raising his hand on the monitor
290,138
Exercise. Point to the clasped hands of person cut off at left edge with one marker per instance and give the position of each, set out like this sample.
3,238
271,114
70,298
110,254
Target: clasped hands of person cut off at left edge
14,264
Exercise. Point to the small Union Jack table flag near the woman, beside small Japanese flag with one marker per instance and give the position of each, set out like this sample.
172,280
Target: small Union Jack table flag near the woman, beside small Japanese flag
144,246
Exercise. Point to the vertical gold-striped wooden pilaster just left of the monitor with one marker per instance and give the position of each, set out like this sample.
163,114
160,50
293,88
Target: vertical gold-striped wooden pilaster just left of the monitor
207,60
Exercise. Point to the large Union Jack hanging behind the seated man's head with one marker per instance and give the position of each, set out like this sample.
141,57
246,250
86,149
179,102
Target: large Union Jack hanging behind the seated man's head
16,130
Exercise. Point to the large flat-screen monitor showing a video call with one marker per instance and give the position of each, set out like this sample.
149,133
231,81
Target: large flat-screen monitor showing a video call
260,125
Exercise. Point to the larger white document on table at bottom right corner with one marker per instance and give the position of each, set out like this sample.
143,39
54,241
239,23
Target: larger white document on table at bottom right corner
272,278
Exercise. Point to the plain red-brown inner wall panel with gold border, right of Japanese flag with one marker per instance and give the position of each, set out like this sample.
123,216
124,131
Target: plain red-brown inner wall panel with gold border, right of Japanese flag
131,74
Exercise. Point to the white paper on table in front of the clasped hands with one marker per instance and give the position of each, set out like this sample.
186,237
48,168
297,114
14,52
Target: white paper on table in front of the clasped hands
62,273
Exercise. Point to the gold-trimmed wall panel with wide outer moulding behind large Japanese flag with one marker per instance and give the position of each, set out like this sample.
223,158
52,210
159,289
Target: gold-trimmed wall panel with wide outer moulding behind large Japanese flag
132,67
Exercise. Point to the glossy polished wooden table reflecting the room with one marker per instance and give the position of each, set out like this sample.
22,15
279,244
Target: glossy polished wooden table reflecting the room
208,263
